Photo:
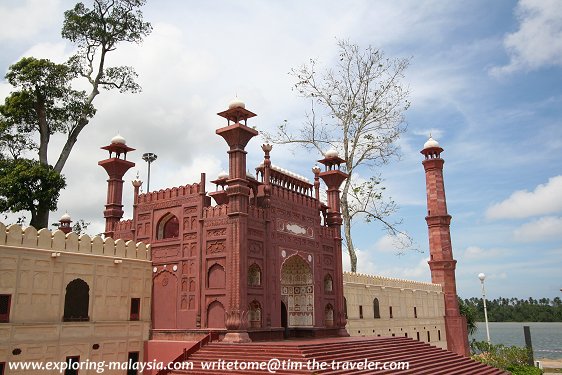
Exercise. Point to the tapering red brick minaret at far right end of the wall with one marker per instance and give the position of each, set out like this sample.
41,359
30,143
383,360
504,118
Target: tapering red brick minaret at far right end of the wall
441,263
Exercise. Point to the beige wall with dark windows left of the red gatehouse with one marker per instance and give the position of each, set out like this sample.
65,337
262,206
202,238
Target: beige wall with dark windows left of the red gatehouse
36,267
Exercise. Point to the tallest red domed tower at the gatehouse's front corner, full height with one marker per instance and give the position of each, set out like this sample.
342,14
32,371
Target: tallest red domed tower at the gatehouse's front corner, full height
237,136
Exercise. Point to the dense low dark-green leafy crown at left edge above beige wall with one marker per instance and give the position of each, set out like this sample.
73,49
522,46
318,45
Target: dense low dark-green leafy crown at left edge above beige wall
29,185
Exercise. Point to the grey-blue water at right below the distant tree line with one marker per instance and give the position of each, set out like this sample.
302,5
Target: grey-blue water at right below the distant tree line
546,337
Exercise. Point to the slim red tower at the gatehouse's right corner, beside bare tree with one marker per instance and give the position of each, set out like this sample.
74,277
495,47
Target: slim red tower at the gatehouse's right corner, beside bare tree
333,178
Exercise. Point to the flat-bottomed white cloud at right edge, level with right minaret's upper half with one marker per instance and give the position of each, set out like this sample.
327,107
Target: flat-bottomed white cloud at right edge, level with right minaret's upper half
545,199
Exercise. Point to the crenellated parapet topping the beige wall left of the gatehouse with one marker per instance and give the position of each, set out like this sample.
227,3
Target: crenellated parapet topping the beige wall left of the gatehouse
58,241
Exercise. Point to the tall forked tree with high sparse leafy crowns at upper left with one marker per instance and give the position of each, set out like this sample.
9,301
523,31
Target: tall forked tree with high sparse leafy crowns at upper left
44,101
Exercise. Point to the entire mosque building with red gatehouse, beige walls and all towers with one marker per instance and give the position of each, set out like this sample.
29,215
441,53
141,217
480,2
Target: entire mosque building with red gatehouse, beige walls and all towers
258,259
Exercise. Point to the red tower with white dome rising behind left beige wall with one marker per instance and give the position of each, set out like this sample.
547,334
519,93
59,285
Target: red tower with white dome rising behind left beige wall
116,167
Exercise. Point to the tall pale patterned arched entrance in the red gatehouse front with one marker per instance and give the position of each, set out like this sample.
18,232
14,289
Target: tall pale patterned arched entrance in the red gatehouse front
297,292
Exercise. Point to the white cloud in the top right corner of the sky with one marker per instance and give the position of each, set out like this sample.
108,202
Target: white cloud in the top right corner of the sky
538,42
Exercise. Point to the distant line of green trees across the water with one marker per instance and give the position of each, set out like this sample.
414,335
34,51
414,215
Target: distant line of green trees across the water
515,309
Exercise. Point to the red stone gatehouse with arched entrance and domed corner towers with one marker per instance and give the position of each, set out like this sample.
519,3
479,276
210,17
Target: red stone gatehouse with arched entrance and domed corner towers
259,258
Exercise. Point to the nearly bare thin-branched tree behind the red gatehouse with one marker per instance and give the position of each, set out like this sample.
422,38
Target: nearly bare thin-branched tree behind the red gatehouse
362,103
